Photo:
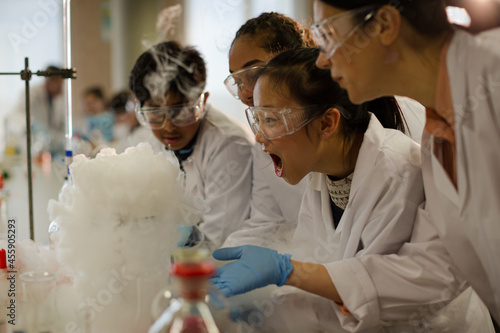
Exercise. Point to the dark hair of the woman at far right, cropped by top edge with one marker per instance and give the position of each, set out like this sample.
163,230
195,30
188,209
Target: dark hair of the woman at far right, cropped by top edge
428,17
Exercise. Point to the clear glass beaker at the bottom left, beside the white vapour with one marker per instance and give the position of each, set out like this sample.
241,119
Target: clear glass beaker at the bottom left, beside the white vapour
37,311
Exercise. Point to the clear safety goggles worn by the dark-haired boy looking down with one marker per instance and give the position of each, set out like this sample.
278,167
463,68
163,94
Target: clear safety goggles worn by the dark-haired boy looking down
156,117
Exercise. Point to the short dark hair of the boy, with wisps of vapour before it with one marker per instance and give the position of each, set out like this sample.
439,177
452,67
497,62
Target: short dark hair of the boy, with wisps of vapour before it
168,68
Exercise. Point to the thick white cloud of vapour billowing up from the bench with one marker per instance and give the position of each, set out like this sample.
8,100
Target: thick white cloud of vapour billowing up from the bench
118,225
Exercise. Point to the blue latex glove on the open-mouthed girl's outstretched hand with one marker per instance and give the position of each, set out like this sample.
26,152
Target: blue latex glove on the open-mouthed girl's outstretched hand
254,268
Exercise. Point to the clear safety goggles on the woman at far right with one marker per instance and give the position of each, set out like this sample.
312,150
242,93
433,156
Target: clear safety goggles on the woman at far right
332,32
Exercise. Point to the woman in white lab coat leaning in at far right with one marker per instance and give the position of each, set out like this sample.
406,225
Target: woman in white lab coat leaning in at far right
376,47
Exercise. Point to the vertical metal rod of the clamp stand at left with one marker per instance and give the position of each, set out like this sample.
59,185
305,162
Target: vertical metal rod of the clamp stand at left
27,76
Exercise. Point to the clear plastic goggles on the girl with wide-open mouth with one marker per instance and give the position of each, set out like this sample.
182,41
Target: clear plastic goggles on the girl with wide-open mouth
275,123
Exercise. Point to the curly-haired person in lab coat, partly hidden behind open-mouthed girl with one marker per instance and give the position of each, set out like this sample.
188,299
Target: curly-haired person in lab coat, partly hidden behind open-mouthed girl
273,216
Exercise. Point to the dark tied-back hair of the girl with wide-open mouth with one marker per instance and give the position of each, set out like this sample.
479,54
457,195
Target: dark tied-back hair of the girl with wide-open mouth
294,75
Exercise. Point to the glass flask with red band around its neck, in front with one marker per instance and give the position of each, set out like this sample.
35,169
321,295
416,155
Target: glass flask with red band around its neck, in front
191,303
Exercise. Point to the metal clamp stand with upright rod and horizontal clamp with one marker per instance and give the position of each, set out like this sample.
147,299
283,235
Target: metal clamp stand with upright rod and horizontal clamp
26,76
